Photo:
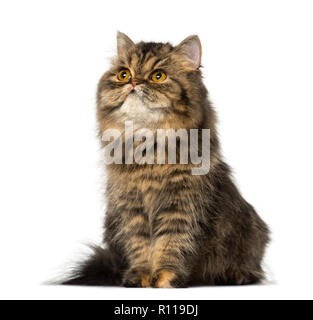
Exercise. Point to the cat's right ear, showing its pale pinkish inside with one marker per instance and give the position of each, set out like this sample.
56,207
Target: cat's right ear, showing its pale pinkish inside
190,51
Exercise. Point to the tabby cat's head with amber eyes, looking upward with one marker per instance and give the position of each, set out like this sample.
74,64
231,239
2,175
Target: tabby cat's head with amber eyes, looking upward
153,84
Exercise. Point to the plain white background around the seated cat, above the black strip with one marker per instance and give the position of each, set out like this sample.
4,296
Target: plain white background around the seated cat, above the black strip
258,67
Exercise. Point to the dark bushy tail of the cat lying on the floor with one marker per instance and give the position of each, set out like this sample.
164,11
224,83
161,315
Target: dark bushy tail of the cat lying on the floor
101,268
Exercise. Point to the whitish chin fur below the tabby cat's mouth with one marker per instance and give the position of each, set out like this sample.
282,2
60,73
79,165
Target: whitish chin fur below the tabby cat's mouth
141,113
